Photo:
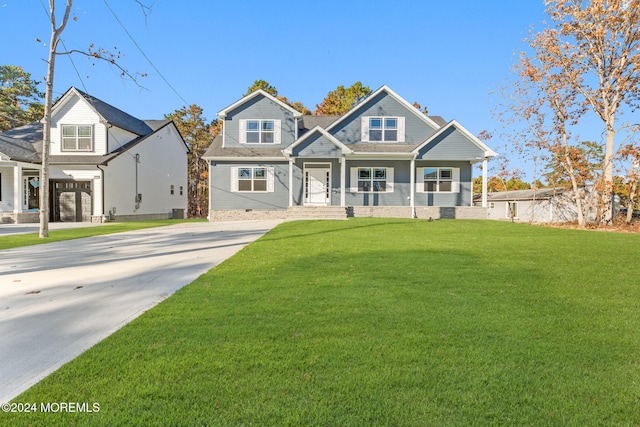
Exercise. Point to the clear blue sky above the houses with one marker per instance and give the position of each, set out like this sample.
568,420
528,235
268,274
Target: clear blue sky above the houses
448,56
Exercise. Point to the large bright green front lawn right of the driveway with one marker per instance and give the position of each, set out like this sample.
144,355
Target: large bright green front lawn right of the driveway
379,322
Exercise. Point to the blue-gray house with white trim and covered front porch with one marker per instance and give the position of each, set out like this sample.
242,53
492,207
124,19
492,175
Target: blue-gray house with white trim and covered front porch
382,158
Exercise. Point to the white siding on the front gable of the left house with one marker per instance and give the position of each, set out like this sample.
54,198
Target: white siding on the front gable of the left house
77,112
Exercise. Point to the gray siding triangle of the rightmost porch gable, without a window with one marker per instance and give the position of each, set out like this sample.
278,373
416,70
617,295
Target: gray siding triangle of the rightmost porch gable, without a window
451,145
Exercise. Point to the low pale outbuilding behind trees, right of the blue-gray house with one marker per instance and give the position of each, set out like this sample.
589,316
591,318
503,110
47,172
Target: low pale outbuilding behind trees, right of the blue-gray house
536,206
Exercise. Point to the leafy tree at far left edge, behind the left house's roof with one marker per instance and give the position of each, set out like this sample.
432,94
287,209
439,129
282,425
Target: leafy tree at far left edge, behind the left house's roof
19,98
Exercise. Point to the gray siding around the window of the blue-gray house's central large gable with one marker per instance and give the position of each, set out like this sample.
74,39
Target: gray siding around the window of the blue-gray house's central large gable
416,130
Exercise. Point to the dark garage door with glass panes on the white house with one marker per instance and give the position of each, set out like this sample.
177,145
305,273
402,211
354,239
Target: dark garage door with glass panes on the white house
72,201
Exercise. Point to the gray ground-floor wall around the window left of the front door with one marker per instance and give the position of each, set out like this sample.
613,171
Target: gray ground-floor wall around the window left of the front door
221,197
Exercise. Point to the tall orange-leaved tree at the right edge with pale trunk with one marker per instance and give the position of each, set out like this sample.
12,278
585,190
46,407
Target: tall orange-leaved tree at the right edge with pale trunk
595,46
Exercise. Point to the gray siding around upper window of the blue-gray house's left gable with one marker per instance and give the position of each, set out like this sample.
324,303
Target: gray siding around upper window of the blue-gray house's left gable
259,108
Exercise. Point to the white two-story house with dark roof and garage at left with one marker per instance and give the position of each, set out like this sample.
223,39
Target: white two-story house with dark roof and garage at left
104,165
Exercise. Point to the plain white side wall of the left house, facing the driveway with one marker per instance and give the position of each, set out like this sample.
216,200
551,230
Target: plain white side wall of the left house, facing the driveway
163,163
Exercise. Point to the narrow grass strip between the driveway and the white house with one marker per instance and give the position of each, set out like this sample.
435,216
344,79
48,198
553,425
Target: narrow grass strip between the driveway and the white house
18,240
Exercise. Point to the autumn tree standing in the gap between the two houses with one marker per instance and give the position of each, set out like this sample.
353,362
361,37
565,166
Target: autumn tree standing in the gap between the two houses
198,134
